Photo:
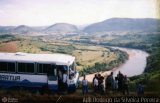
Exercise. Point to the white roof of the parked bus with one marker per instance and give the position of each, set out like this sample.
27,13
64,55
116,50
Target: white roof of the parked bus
59,59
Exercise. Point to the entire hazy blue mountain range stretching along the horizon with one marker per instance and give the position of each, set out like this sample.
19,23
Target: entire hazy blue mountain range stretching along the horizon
113,24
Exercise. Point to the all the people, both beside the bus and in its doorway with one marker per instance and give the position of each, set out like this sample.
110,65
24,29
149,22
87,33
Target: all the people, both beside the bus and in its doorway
101,84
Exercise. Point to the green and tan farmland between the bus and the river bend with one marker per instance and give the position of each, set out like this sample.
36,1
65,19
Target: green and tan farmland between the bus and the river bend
87,55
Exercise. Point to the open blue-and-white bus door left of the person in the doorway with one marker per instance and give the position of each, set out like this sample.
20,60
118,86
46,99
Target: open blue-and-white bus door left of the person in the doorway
52,78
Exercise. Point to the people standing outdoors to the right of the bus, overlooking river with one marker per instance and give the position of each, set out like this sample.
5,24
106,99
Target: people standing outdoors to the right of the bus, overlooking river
102,85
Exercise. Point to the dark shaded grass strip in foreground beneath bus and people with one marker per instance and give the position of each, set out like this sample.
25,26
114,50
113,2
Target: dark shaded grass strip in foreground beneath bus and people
27,96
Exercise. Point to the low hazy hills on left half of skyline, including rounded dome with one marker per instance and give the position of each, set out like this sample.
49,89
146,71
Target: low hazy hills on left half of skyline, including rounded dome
59,28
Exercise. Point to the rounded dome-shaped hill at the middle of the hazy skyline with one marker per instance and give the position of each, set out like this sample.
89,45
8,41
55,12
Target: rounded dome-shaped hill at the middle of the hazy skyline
61,27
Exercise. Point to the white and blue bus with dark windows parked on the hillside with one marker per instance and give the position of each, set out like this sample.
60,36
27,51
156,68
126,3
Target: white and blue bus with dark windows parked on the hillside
37,70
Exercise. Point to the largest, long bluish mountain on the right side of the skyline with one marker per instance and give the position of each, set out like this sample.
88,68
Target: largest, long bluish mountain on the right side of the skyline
124,24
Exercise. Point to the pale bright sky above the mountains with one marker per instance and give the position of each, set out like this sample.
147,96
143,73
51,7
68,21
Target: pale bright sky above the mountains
78,12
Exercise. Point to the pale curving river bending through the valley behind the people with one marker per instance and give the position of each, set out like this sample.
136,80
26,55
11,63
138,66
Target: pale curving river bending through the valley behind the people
135,64
